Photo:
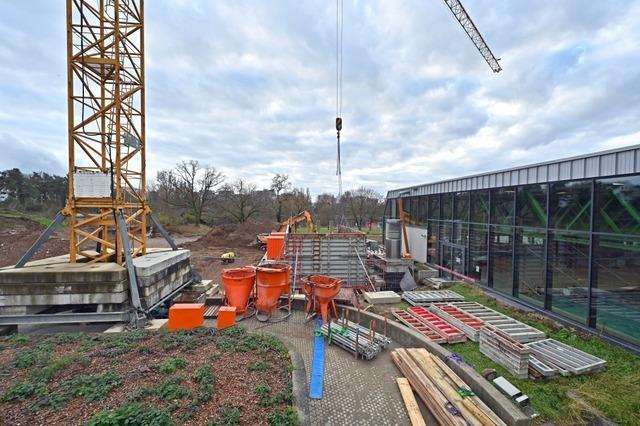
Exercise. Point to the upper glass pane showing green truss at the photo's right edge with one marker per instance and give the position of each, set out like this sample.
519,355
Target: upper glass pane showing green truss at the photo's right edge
618,205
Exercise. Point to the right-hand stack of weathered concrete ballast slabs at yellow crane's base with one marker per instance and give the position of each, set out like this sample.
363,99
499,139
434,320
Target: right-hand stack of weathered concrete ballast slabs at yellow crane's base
160,273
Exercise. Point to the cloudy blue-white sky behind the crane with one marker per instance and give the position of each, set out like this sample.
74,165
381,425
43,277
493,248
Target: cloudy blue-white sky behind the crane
249,87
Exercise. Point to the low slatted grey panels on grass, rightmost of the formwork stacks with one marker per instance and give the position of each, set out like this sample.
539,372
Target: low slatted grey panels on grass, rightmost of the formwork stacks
566,359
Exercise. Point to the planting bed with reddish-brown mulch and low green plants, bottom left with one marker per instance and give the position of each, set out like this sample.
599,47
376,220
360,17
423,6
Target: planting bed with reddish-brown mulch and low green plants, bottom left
162,378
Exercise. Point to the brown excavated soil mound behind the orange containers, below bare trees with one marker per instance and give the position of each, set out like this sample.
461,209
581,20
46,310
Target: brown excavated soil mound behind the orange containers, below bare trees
232,235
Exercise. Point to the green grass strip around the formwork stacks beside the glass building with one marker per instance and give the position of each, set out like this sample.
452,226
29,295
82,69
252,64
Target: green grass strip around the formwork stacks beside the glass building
614,391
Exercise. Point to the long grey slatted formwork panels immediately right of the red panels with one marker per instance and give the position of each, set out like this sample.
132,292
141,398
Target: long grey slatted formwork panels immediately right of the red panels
519,331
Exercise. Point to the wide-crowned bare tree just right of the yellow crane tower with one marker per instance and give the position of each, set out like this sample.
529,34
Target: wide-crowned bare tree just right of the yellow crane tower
189,185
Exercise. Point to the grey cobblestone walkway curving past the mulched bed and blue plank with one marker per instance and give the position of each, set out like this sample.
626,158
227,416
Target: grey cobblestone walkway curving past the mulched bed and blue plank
356,392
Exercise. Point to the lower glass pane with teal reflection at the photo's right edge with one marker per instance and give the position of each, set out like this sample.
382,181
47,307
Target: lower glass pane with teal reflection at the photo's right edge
616,263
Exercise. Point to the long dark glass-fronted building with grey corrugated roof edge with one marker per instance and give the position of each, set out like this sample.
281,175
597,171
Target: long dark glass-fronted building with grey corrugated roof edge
565,243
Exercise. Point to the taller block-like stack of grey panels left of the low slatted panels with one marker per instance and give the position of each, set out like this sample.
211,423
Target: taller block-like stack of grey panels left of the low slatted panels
501,348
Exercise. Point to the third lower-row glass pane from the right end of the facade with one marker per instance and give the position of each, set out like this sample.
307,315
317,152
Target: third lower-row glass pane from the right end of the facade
530,265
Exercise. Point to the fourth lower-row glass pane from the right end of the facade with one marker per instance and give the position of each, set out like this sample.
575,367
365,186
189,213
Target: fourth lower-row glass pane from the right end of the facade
501,258
